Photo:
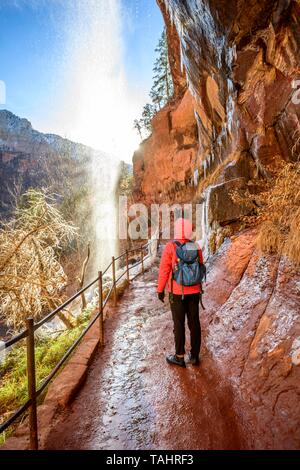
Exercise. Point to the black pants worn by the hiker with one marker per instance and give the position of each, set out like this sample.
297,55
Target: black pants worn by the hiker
189,305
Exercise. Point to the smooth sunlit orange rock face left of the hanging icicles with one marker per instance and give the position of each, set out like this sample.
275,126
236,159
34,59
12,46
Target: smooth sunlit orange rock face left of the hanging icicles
163,166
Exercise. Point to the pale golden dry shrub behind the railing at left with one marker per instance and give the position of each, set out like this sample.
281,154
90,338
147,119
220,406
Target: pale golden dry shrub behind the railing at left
31,275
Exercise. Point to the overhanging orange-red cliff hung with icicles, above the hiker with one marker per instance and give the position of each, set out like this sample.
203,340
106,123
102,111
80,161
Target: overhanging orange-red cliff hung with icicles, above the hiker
241,63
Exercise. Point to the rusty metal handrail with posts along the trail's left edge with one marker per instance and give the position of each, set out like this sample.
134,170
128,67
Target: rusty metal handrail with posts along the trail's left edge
29,334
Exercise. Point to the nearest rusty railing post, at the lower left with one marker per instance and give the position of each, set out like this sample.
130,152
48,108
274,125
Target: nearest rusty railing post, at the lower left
31,385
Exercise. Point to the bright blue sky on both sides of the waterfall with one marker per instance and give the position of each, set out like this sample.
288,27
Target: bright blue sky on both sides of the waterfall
36,39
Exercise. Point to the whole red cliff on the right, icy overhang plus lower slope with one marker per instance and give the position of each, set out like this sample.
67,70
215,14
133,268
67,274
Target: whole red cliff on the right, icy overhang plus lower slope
235,122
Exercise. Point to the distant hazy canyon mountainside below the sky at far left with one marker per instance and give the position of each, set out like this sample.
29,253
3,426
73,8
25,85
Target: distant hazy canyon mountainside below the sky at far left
32,159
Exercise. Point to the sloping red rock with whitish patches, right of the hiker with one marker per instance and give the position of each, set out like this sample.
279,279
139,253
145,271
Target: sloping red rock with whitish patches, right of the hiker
252,331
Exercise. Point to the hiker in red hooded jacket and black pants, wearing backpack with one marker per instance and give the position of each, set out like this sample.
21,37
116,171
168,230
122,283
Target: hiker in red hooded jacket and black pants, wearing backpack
184,299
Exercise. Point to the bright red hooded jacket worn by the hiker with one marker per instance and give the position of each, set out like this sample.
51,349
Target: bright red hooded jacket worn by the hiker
183,232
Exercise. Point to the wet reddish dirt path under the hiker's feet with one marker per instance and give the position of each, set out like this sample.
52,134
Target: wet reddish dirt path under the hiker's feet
133,399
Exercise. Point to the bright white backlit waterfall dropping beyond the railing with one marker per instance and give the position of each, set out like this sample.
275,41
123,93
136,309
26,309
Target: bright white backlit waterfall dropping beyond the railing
98,106
